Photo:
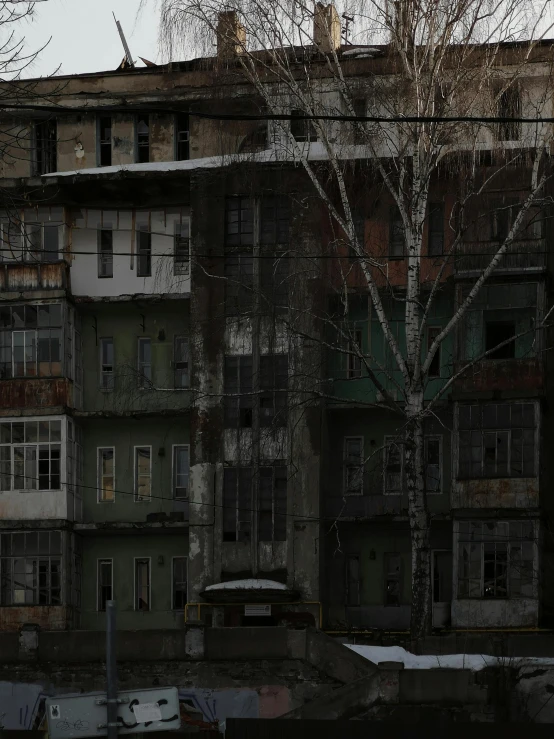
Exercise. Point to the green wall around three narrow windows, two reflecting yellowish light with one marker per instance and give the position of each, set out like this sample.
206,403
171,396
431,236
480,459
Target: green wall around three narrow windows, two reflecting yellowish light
161,433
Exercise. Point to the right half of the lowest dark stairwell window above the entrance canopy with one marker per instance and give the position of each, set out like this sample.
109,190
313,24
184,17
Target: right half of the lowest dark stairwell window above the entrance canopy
272,503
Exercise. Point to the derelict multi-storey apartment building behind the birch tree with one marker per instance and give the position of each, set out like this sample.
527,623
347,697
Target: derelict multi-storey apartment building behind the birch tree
160,436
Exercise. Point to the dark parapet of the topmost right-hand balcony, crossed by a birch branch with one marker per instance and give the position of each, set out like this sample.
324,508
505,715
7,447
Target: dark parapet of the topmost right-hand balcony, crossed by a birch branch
525,255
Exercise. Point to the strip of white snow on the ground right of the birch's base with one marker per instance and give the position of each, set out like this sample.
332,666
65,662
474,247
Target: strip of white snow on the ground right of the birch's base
473,662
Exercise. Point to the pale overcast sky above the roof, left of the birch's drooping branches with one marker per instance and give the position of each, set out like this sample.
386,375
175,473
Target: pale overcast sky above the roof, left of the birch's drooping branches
84,36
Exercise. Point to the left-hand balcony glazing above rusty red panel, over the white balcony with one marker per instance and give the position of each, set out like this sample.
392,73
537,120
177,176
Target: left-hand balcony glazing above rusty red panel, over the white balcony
31,341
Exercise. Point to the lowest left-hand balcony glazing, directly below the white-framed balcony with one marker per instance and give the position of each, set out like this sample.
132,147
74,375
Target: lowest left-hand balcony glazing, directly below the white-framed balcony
31,568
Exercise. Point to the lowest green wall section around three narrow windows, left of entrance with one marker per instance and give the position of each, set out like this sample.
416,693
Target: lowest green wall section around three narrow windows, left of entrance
122,549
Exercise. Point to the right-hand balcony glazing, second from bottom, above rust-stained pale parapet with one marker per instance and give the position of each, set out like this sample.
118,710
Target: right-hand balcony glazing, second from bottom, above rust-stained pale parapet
496,440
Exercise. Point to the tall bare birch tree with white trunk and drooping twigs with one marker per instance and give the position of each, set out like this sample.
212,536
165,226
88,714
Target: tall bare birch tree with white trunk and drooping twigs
446,85
